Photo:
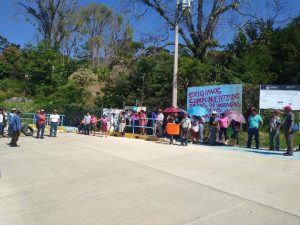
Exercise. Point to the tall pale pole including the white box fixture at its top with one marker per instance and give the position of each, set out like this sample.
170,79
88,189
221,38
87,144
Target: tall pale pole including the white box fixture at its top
181,5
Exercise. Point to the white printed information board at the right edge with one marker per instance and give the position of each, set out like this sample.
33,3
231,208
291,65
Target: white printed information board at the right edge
279,96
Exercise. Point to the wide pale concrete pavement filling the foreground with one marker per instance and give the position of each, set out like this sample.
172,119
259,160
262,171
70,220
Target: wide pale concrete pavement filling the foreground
80,180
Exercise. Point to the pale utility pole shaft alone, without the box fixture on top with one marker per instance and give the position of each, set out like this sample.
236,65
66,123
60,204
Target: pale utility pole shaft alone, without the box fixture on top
175,69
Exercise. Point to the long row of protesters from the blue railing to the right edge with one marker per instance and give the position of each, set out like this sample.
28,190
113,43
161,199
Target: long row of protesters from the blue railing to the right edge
191,128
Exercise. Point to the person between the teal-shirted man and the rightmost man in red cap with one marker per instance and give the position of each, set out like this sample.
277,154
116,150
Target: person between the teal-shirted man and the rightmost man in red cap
274,131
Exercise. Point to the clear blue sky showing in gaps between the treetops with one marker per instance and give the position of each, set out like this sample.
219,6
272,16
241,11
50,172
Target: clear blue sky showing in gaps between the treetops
18,31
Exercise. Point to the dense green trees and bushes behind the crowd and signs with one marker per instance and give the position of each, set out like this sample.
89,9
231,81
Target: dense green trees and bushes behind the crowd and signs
108,68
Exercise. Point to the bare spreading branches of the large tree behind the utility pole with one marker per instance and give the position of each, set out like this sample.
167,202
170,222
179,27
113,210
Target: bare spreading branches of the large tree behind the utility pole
199,26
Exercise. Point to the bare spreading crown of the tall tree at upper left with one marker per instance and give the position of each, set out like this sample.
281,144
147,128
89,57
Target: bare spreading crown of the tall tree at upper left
49,17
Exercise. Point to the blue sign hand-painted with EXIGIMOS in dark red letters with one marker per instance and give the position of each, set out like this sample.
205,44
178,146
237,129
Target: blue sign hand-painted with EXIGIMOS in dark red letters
216,98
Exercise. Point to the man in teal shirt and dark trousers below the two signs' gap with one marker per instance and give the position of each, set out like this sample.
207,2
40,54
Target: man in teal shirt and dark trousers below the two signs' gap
255,122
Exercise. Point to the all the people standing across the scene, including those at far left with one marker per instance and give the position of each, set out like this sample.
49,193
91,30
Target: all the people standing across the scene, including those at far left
185,128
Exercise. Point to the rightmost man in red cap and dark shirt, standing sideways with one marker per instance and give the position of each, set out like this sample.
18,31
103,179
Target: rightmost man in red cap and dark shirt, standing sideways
288,129
